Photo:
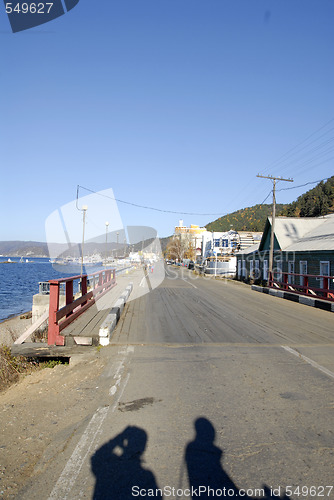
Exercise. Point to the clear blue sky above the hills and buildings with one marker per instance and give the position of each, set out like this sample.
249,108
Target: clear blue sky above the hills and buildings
174,104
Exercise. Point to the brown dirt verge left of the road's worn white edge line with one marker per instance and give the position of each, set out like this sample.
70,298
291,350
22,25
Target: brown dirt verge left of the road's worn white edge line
46,406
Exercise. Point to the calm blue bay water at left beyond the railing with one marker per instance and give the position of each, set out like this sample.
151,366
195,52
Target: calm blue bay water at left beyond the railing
19,282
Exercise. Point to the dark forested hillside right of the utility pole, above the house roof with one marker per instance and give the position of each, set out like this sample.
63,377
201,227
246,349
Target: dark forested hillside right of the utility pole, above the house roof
315,202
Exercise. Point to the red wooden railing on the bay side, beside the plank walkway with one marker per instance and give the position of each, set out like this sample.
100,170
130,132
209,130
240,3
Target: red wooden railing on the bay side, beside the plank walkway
101,281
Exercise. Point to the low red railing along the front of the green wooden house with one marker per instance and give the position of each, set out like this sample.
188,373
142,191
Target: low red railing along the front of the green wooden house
287,281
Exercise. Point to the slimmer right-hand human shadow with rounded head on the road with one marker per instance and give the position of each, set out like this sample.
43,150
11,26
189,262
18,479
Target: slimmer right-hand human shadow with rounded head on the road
207,478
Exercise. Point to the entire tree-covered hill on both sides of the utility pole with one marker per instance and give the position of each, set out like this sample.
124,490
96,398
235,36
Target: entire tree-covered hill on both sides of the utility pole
314,203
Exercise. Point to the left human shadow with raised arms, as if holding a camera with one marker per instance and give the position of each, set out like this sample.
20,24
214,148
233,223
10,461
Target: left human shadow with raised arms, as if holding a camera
118,466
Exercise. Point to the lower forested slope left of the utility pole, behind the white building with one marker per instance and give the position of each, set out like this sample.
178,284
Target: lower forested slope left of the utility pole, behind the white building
246,219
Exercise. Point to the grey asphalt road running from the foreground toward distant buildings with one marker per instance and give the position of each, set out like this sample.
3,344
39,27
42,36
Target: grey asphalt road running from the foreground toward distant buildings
207,385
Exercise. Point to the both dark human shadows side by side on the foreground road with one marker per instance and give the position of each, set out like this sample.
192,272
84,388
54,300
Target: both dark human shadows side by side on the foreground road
118,468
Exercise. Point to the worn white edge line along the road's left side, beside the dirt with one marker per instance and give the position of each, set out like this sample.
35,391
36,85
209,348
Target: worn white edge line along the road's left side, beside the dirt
74,465
